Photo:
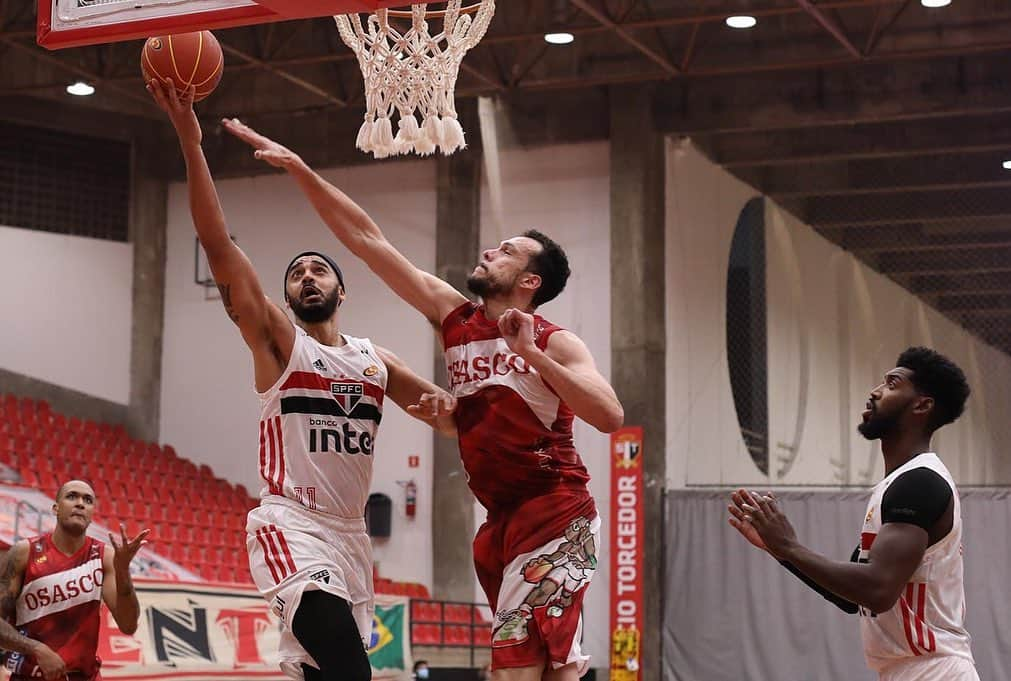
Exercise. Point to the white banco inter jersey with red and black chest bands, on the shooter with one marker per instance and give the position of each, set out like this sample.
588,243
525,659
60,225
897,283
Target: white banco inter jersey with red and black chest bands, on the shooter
318,426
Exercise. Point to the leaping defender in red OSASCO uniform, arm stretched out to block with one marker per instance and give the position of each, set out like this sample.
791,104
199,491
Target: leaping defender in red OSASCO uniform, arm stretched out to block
520,381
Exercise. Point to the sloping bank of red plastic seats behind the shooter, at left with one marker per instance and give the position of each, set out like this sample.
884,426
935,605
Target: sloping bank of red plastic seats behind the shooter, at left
198,520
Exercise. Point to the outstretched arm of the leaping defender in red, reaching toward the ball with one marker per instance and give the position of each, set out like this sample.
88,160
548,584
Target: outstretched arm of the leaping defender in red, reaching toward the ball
430,296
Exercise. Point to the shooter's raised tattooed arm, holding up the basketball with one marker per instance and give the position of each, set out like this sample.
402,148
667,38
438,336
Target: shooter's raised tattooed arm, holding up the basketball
265,328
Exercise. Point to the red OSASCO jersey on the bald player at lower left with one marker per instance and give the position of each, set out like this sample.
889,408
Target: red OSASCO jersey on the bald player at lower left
60,606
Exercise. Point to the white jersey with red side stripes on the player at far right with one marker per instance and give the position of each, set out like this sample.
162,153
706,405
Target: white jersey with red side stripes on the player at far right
929,620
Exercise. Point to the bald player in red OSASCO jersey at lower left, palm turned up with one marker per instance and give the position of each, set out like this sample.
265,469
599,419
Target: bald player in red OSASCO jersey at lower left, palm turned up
51,593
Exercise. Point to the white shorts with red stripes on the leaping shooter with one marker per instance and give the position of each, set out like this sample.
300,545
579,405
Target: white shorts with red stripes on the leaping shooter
294,550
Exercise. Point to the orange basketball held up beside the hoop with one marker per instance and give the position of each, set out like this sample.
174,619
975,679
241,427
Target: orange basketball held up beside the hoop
188,59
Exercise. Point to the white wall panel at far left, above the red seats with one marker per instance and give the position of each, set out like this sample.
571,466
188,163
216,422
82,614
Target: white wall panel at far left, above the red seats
66,311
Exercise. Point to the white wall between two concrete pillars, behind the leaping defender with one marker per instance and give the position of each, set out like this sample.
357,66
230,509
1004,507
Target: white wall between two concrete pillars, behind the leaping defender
565,192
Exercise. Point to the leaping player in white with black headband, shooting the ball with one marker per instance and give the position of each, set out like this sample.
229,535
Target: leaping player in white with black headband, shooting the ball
322,397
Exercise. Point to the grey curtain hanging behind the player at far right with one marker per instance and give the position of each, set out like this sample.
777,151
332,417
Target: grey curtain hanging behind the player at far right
732,614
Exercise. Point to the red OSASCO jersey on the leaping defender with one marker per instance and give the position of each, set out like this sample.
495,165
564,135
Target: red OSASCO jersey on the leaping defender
515,432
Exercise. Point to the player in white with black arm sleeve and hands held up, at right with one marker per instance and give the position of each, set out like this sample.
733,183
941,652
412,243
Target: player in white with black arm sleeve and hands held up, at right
905,578
